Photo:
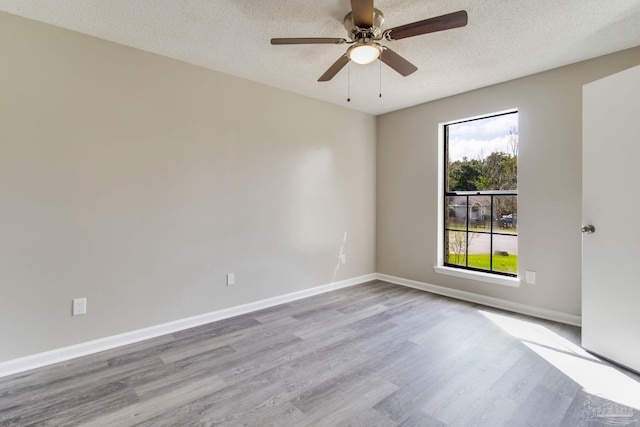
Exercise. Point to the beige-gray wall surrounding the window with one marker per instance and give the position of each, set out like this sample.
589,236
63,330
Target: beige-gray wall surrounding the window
549,181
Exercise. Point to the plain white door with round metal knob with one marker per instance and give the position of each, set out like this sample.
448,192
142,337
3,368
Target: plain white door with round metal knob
611,203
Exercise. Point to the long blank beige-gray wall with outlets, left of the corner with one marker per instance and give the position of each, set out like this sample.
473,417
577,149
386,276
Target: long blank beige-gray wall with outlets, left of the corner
139,182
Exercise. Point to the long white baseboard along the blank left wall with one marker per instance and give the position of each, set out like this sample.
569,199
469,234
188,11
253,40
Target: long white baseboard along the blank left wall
71,352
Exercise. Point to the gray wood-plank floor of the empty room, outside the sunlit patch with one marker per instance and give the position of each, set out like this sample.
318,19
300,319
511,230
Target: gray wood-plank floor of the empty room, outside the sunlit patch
371,355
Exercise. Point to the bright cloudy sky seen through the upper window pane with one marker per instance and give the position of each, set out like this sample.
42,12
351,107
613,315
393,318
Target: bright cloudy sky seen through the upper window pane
478,138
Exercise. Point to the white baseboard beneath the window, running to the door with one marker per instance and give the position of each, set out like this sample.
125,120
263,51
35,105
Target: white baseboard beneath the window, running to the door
543,313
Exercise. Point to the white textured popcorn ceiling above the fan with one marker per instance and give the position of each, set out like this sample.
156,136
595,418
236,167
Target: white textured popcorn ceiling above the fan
504,39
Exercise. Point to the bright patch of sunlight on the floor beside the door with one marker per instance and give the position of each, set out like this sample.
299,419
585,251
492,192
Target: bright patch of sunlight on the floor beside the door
591,373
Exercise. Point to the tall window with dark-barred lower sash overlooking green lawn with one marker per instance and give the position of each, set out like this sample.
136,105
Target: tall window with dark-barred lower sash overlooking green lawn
480,203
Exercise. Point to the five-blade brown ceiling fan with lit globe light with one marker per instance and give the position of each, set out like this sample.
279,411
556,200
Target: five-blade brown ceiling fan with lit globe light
363,25
